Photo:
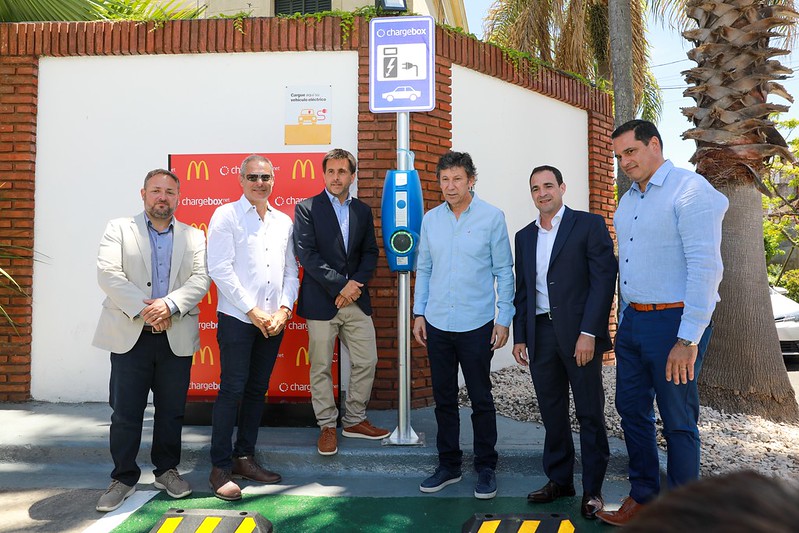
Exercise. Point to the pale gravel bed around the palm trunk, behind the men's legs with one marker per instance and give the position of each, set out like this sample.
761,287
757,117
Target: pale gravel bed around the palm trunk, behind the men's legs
729,441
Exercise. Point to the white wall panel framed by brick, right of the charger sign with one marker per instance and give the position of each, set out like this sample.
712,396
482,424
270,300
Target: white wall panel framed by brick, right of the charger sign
509,131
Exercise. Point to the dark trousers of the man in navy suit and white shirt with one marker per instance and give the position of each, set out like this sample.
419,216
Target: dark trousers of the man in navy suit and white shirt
553,369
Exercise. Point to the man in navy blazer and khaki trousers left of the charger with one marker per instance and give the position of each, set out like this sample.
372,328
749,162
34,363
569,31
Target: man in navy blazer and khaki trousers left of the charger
334,238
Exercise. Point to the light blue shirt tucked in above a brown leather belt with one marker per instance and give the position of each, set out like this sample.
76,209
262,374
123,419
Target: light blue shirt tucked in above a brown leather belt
669,245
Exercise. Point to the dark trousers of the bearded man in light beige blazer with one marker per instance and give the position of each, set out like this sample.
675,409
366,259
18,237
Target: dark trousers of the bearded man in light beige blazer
149,365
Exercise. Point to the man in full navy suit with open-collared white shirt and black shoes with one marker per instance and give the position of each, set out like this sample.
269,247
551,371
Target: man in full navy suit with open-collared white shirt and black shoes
565,280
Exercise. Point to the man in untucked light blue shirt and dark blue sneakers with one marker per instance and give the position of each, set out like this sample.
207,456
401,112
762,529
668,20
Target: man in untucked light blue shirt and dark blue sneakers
463,278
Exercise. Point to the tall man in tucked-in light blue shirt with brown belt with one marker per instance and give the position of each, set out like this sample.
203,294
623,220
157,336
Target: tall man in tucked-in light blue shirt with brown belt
668,227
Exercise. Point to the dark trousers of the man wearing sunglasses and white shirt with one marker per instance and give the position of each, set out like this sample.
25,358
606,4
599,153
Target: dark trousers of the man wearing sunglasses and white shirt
246,360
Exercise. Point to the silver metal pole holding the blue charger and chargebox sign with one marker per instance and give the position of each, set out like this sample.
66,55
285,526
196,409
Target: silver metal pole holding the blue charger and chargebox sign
404,434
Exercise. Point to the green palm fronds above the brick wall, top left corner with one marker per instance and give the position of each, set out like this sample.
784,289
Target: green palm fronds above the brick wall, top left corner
52,10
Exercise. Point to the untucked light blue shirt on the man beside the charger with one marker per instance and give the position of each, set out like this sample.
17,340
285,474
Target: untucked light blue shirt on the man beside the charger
465,268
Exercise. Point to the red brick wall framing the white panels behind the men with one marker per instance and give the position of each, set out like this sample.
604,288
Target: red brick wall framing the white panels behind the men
430,136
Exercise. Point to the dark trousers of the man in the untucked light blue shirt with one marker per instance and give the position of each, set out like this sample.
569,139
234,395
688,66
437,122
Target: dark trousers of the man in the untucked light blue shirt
472,351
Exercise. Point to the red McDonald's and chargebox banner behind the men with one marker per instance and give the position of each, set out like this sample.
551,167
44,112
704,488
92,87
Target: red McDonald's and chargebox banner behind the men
211,180
